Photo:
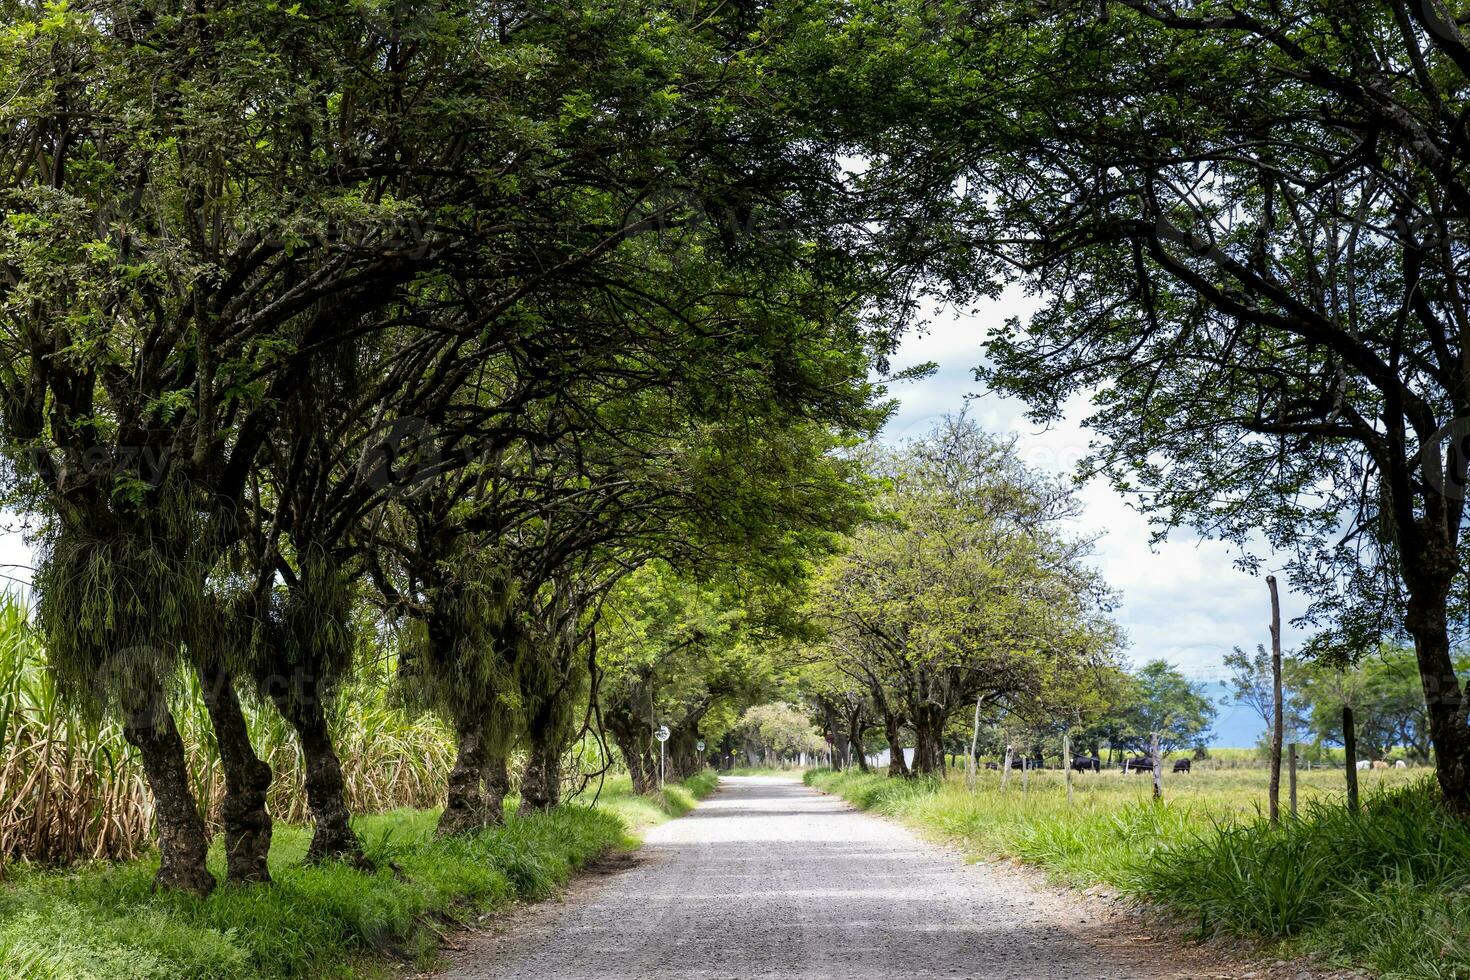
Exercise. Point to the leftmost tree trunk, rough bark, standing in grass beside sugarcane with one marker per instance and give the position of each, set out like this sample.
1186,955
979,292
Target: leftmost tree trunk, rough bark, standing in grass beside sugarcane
183,843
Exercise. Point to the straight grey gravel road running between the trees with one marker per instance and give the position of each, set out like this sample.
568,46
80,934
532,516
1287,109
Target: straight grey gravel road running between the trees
771,879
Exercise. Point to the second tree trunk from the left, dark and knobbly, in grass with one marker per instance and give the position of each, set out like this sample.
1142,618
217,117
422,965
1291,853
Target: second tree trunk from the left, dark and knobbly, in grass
248,782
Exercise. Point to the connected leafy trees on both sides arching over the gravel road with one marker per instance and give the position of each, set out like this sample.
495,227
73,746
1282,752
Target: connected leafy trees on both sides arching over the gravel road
526,365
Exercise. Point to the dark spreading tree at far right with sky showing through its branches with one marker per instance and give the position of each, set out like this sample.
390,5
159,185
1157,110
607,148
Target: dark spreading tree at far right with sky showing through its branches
1247,223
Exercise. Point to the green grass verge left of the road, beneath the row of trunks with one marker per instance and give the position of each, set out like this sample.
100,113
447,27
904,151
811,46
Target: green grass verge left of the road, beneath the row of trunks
107,923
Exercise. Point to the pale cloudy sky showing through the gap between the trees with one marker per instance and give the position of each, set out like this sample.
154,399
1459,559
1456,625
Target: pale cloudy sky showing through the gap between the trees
1183,600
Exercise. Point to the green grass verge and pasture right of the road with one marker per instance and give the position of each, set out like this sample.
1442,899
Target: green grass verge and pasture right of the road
1387,890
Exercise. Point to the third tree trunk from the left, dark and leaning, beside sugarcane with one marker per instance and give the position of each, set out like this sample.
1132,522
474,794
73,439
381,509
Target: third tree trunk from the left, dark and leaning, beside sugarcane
326,791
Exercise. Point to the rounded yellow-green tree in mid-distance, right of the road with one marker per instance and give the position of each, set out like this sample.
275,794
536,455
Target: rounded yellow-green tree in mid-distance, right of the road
967,588
